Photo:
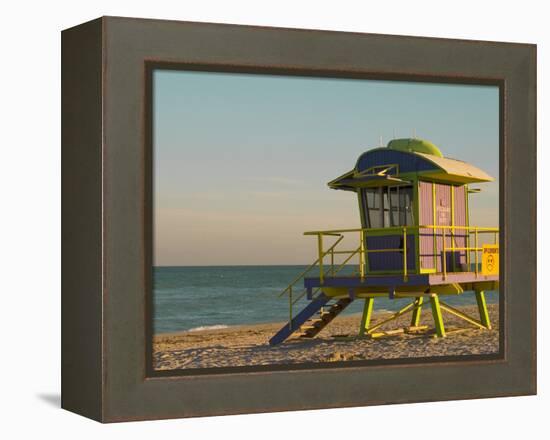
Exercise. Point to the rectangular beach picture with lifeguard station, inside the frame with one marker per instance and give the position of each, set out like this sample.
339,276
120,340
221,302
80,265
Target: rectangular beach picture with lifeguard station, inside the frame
300,220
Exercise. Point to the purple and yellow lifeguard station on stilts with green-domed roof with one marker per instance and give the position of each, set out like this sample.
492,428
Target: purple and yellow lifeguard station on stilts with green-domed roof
415,242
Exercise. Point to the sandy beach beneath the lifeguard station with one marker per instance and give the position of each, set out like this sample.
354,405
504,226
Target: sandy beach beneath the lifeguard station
248,345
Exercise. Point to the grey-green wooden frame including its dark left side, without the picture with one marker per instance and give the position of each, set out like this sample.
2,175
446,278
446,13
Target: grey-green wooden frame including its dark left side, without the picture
107,232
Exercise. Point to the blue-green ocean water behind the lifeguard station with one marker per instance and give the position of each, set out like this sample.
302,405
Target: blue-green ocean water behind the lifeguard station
193,298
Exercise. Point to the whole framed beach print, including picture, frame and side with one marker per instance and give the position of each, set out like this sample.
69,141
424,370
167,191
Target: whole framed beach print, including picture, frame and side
263,219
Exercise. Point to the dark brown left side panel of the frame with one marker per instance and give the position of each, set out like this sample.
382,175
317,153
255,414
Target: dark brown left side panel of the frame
82,219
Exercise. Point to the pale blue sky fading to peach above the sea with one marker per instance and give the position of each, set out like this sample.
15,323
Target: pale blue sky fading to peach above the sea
242,161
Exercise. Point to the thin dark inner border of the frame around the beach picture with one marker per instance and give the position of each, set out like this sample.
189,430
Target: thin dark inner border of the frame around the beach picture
150,66
